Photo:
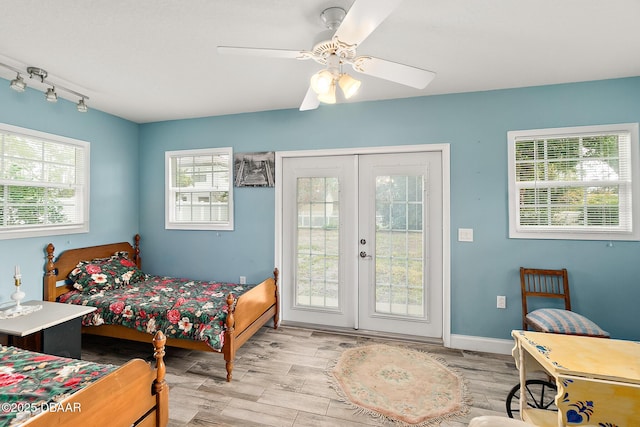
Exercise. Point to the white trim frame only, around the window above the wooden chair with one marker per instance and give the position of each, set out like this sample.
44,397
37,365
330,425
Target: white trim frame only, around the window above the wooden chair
517,231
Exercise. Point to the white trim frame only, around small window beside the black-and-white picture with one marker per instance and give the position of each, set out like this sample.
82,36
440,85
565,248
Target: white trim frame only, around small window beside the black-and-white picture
170,223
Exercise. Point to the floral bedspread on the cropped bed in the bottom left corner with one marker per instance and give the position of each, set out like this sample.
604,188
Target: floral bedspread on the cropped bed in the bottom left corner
33,382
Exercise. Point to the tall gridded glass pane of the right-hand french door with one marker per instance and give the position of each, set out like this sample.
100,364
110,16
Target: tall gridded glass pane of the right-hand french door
399,283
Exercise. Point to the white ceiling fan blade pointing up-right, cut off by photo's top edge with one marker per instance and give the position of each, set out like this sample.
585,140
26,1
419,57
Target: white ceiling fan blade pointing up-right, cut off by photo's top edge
363,18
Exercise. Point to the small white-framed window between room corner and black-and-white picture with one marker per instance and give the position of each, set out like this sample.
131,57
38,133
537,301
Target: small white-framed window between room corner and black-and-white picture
199,188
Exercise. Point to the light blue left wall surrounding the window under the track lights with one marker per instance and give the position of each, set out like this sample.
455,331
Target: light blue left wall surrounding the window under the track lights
114,181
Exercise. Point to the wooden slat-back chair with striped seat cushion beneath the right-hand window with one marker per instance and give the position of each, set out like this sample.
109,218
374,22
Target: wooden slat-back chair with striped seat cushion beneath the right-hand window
544,283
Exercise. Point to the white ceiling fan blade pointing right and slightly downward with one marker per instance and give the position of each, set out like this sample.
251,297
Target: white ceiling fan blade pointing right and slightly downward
393,71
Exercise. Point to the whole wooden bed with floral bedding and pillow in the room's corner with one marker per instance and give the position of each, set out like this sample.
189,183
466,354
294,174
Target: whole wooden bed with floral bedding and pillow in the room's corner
231,314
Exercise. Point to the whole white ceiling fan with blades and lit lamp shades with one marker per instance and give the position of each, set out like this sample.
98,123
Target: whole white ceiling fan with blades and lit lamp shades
338,48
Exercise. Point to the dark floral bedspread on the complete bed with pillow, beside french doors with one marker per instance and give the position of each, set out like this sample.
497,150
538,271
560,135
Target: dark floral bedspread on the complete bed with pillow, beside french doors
181,308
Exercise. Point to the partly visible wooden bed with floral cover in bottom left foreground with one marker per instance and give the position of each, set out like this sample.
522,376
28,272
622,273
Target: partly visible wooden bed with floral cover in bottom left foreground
43,390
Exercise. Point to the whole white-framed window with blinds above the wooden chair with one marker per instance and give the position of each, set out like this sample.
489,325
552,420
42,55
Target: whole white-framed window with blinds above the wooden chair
574,183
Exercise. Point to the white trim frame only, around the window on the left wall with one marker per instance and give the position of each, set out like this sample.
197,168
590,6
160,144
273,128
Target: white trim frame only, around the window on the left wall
51,230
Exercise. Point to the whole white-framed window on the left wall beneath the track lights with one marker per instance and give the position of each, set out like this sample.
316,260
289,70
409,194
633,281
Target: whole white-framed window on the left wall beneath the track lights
44,184
